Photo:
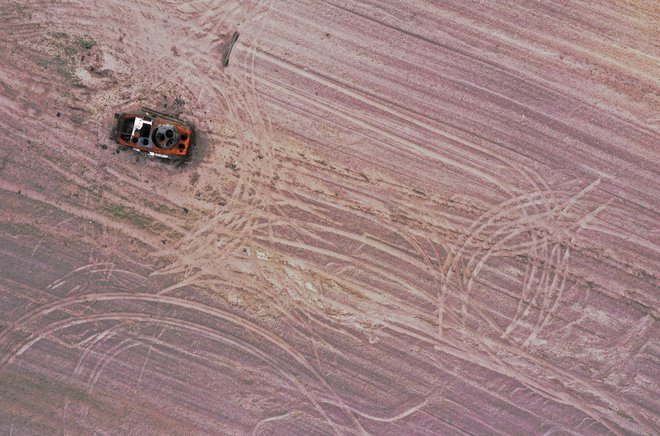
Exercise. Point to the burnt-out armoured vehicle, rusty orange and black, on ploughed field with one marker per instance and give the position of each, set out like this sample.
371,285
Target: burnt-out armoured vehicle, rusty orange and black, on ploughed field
154,133
